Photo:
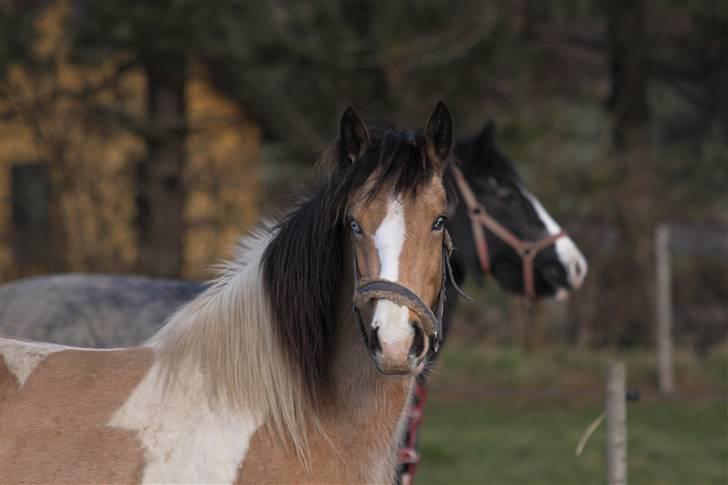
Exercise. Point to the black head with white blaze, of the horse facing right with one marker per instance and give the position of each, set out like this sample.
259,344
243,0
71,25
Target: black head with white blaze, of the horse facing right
557,268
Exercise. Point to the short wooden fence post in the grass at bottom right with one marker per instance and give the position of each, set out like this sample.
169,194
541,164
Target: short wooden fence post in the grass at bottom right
616,411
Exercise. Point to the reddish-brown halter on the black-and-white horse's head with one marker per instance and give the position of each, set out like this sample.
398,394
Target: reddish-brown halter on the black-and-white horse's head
480,220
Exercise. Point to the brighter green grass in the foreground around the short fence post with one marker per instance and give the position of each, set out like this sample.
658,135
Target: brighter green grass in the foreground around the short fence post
485,442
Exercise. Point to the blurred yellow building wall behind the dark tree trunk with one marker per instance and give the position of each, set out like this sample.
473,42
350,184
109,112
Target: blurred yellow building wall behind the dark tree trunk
93,154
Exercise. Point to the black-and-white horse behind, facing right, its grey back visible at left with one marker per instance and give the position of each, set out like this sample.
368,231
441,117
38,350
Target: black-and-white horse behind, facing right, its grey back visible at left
112,310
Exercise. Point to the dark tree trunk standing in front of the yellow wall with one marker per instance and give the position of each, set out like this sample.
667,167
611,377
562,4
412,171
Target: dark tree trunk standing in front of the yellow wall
161,192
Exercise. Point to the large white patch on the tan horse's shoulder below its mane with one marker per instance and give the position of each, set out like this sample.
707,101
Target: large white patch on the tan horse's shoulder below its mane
185,440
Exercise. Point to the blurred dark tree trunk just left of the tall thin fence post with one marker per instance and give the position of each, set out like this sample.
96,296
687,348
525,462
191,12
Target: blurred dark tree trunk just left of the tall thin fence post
634,201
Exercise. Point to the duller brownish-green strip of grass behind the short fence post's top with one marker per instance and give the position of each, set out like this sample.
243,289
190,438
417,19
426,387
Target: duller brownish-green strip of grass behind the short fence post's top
571,374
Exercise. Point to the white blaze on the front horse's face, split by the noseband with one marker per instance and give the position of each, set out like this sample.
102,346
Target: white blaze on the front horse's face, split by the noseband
391,319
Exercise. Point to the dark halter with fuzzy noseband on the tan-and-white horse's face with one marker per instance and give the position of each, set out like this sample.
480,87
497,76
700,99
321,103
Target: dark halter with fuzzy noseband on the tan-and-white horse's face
366,290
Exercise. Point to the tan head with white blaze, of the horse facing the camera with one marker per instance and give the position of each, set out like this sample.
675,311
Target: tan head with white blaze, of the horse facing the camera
395,215
